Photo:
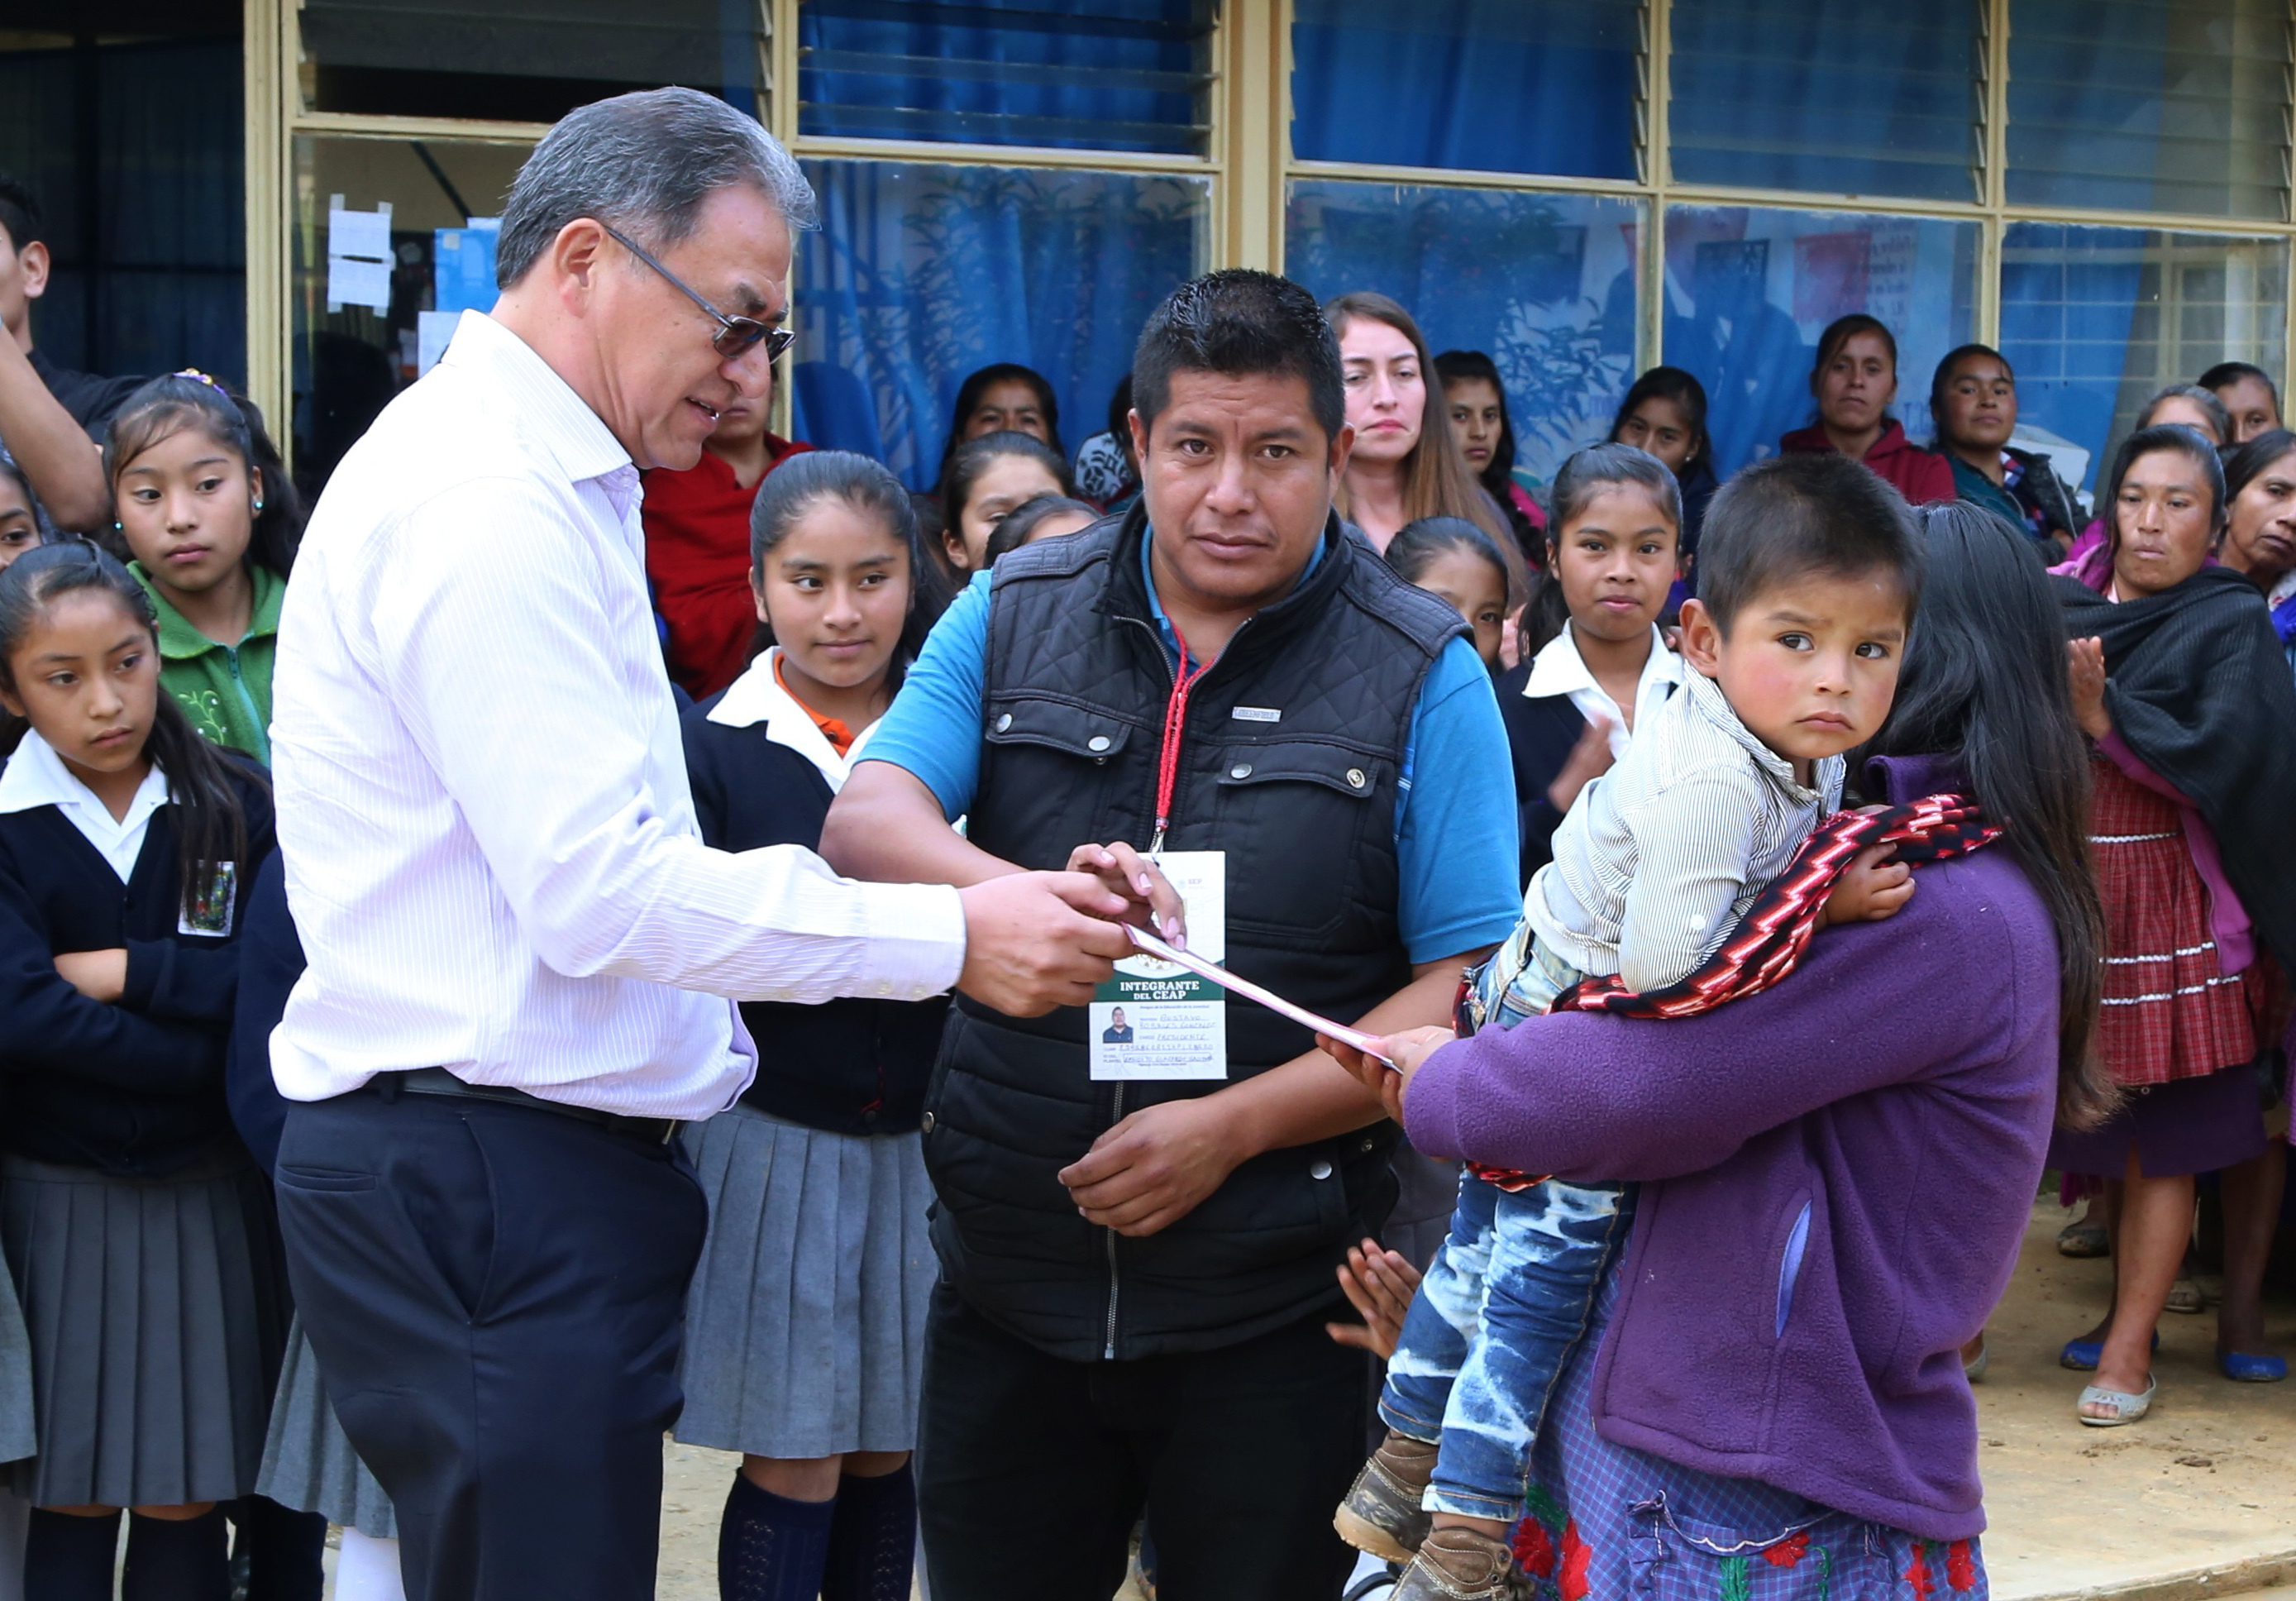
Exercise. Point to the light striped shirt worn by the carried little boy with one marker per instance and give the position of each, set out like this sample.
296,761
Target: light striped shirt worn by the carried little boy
1663,856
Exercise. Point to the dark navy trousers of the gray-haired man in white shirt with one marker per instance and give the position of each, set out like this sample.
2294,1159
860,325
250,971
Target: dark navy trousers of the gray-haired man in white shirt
497,1304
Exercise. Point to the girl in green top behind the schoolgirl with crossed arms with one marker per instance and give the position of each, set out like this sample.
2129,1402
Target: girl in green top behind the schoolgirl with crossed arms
212,518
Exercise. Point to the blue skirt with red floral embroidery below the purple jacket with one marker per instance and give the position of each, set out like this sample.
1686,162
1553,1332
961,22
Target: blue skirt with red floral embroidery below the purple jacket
1611,1522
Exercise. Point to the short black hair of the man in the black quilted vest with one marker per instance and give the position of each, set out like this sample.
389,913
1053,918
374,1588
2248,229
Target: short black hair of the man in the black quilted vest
1241,323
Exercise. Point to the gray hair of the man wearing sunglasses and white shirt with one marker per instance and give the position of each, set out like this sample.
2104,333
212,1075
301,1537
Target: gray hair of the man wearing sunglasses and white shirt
646,164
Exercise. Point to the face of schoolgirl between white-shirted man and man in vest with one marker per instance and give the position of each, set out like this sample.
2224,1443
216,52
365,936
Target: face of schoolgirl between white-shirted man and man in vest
837,591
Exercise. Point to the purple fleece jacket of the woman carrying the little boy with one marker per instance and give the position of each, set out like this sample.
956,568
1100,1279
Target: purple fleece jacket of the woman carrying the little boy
1836,1180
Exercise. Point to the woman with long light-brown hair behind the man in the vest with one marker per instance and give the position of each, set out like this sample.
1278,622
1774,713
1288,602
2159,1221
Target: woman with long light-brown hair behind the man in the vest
1406,465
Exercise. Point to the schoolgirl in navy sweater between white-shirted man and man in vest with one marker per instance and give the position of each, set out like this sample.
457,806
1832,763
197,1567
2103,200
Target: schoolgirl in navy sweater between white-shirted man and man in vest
805,1327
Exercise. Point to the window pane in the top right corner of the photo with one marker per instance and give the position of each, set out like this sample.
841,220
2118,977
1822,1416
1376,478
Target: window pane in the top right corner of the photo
2150,107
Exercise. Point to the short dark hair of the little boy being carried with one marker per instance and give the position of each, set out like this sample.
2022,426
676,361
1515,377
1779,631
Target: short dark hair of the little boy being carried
1801,516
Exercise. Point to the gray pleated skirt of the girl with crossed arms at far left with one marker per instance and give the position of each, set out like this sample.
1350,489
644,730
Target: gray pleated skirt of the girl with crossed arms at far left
148,1306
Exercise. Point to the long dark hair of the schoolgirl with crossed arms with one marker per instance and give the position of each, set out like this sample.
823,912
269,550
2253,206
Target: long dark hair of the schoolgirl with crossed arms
210,821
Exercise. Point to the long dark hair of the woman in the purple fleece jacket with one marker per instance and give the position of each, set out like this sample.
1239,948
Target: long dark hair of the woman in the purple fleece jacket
1985,681
